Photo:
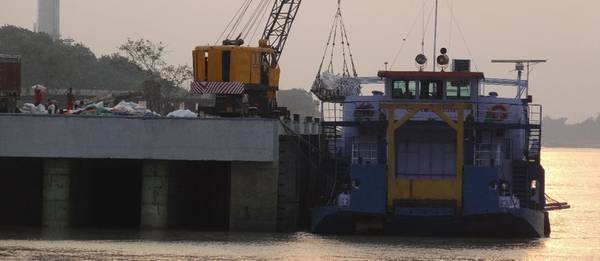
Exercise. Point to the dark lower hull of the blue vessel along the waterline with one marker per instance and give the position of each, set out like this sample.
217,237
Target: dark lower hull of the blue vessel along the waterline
513,223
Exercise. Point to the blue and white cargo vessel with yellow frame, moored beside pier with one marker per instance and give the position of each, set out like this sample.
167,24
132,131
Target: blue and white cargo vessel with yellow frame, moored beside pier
434,154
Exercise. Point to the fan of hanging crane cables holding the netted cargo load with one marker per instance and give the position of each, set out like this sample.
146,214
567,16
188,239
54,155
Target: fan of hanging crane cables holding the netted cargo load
338,27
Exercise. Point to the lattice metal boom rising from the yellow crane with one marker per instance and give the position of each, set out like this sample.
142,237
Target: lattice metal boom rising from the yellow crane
279,25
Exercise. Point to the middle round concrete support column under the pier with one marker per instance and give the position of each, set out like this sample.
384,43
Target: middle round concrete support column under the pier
155,194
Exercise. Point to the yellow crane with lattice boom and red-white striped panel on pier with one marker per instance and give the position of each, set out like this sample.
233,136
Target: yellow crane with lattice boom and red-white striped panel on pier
232,70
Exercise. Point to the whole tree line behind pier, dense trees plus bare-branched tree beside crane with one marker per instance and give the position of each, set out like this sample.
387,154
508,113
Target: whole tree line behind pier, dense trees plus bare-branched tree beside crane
65,63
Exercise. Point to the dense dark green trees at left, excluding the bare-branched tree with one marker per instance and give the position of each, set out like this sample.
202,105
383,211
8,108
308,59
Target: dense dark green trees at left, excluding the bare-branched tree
63,64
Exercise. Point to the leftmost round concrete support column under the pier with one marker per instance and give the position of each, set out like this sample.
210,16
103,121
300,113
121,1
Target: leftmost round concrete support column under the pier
56,207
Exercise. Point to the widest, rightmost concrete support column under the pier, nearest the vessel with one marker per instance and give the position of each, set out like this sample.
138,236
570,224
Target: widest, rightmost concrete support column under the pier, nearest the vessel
254,189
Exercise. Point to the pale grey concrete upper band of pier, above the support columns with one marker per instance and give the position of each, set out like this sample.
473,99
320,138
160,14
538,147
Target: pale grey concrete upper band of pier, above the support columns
40,136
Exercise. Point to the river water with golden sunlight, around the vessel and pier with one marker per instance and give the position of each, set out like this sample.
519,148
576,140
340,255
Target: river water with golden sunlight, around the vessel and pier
572,175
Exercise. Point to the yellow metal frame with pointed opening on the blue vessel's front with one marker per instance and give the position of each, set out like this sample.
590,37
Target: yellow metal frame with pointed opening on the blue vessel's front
411,189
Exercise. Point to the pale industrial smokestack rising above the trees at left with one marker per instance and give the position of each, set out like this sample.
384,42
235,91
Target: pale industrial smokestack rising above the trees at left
49,17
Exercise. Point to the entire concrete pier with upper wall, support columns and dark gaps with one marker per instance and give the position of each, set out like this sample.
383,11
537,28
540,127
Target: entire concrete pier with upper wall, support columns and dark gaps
109,172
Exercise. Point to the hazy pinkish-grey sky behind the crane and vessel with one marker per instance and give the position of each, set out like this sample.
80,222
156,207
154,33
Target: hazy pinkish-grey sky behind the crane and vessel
567,33
